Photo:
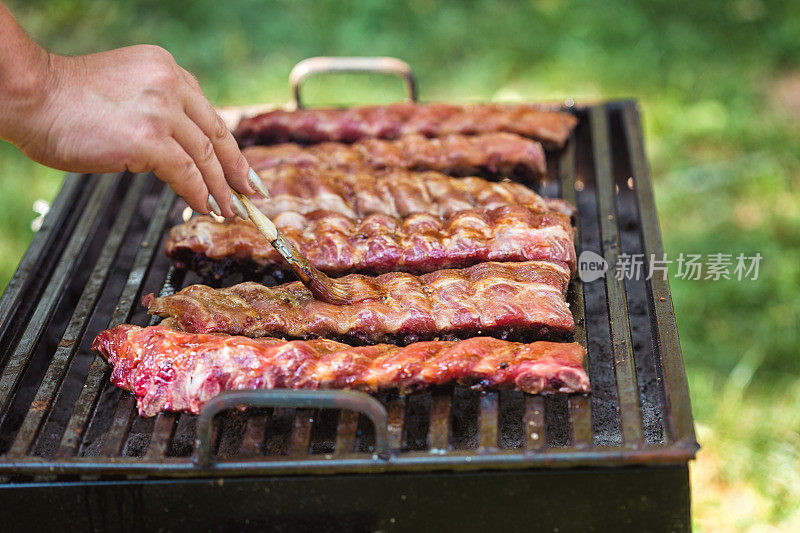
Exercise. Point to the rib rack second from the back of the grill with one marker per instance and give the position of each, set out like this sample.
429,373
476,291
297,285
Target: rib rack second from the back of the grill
491,153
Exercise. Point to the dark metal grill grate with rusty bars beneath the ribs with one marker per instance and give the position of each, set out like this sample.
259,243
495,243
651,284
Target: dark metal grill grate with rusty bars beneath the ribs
100,250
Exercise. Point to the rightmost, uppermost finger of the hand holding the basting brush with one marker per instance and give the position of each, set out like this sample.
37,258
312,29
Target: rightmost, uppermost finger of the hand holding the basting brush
234,166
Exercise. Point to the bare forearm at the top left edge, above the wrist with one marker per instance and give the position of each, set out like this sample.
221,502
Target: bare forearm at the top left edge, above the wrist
24,73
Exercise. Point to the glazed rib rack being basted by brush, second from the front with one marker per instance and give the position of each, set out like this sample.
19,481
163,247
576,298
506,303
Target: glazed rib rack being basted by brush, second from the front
491,298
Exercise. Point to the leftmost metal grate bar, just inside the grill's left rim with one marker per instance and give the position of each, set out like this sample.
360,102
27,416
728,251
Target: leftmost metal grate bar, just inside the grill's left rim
19,360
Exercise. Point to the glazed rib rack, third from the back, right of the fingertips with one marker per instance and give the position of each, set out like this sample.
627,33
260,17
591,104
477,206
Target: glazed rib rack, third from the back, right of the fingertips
398,193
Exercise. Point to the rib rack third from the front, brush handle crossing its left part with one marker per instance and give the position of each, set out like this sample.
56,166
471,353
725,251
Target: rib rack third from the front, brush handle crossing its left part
377,243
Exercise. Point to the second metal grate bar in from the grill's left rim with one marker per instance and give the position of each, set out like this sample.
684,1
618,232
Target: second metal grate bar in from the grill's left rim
70,341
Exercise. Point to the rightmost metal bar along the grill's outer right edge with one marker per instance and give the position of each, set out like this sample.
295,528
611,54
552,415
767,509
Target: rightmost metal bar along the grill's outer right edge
677,390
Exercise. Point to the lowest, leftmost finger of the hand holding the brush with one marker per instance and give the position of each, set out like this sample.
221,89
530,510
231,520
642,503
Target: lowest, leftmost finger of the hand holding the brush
178,169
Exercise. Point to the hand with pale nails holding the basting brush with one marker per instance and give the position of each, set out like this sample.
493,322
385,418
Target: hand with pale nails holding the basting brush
134,109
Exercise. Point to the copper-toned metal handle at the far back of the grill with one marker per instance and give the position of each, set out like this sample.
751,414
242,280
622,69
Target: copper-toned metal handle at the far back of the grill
379,65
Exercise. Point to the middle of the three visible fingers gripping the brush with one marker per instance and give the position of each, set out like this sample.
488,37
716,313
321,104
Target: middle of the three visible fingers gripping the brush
201,150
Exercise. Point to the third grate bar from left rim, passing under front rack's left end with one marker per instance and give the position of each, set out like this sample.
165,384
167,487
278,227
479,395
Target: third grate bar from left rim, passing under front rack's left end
97,372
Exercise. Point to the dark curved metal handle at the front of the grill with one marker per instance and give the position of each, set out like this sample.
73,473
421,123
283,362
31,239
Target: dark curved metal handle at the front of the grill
359,402
